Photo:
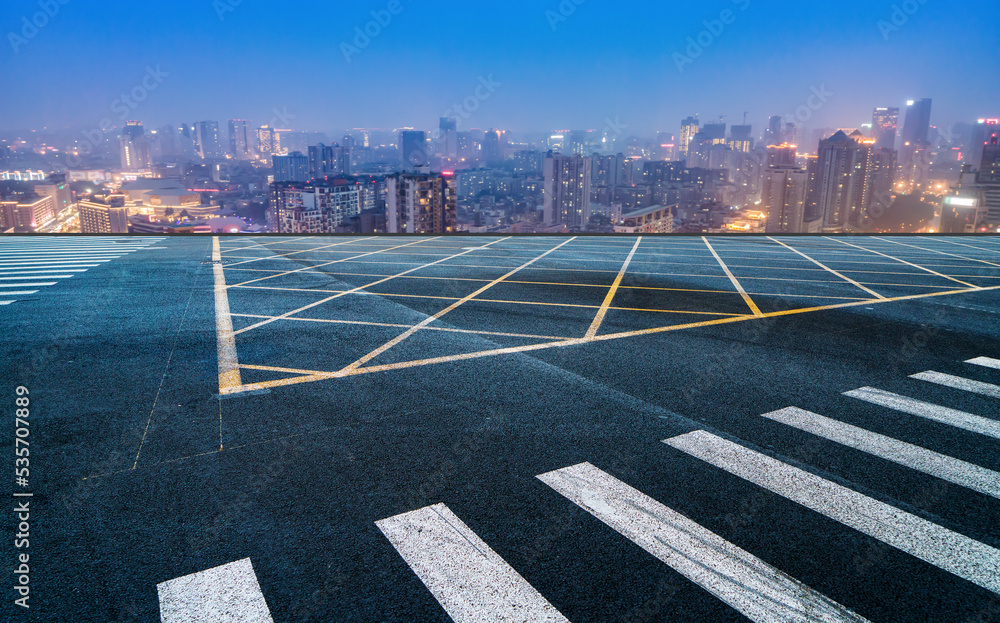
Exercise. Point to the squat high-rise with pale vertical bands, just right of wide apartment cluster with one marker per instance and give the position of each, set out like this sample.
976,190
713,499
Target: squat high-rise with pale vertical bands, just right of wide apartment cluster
421,204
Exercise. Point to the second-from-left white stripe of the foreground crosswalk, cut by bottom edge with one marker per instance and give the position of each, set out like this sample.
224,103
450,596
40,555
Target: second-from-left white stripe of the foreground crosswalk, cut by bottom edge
471,582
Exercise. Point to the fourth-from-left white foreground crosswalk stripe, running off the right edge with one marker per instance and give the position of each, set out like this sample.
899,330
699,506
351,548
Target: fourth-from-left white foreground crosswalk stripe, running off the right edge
955,553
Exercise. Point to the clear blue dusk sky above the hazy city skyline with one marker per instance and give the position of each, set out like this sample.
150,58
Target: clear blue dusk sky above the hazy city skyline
558,64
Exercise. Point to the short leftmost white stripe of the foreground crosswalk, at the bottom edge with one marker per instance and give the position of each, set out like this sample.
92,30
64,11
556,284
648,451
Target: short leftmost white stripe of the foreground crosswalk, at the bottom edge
226,594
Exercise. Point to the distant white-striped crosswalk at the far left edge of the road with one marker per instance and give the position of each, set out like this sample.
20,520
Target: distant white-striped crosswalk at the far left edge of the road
39,260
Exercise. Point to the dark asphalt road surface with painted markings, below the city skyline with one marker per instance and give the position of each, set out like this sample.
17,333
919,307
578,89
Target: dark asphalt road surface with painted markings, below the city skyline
505,429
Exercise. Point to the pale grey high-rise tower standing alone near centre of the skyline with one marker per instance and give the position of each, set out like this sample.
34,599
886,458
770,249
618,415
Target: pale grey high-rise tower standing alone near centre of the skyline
567,190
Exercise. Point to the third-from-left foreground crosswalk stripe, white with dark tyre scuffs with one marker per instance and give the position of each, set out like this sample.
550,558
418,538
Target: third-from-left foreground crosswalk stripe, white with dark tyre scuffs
751,586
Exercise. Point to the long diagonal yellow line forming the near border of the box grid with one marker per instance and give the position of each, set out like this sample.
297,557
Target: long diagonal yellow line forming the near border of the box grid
600,338
